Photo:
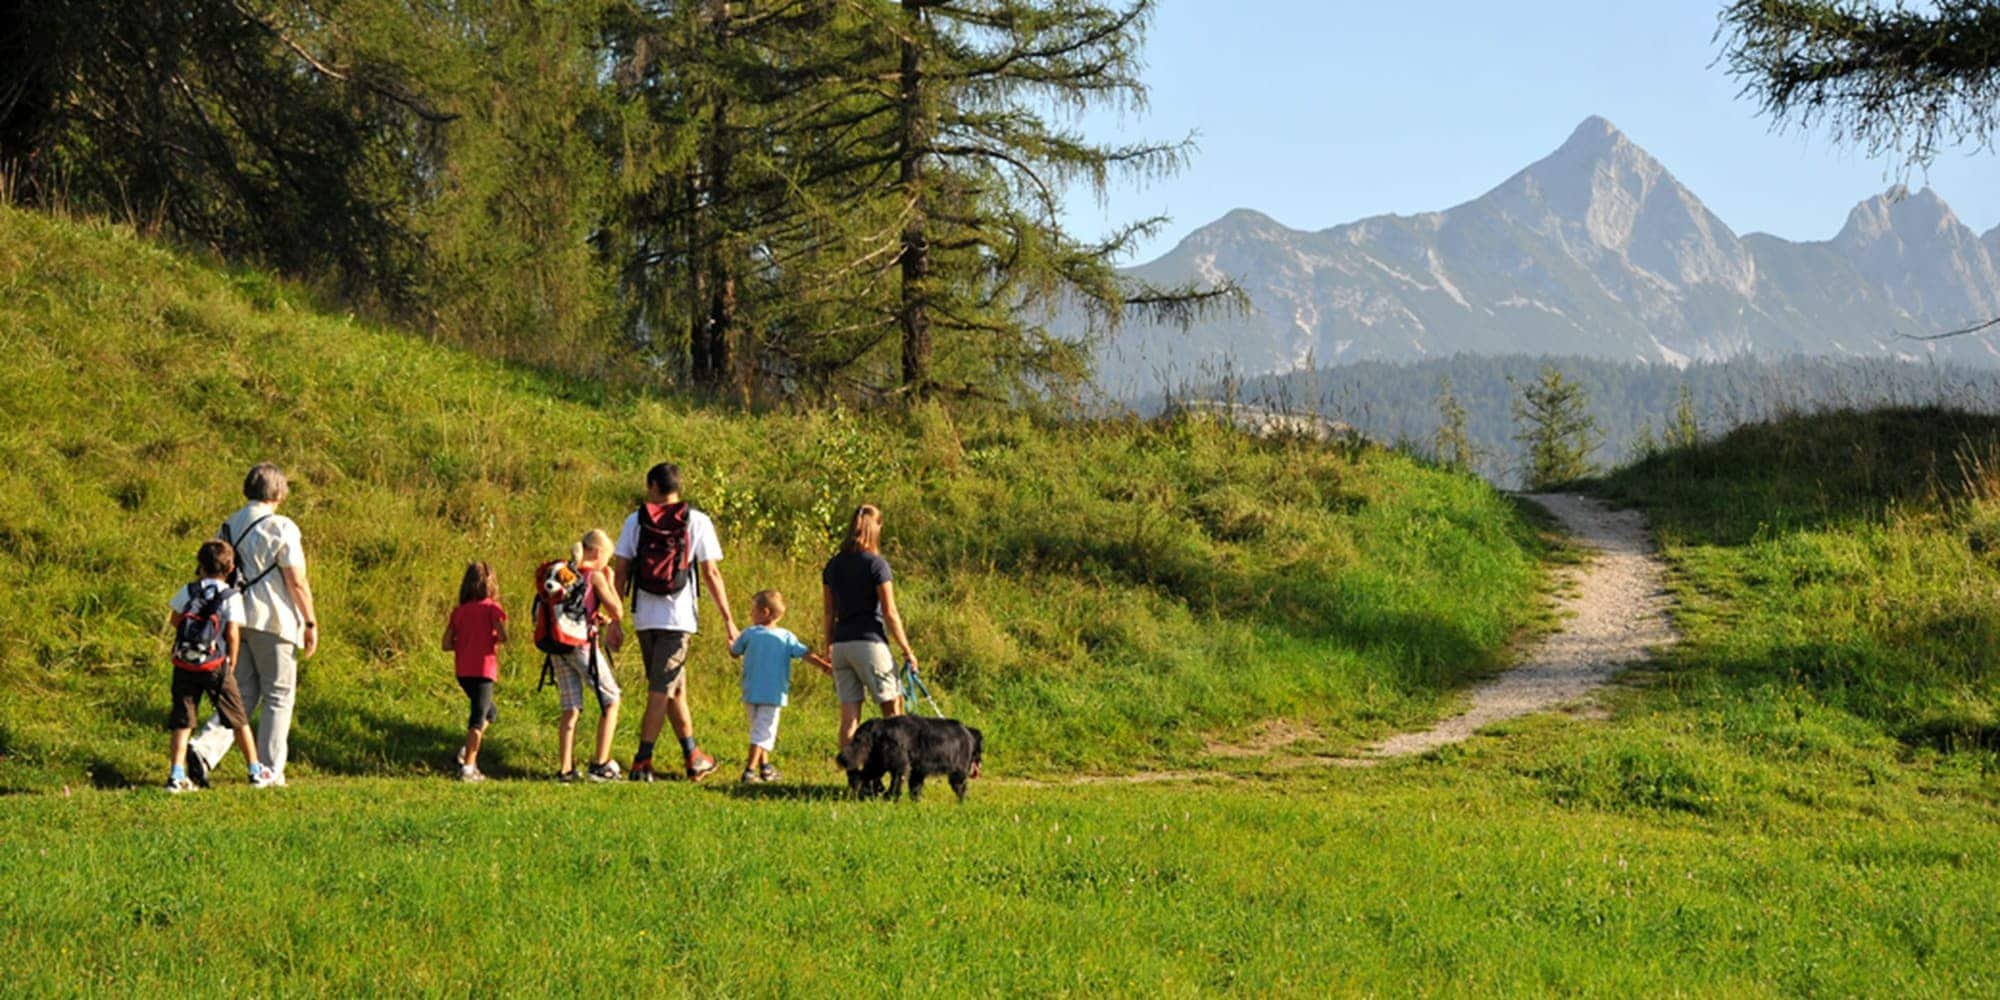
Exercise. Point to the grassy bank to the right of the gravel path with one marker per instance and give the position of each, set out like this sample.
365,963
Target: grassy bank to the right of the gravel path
1837,577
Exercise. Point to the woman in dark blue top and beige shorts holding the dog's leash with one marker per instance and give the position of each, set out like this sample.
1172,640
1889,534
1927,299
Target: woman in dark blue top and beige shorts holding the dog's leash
861,619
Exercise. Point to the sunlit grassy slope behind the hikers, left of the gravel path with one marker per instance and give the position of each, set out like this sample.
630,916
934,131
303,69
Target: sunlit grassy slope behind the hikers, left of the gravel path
1097,597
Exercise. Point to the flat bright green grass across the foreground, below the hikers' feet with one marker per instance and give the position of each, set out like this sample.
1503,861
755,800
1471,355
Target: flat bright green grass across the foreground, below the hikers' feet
1439,881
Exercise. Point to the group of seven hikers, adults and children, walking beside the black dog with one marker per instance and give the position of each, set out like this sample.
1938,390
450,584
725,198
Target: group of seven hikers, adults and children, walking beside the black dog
243,627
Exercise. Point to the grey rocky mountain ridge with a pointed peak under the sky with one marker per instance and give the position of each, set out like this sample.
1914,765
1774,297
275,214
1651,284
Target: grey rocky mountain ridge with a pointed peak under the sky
1593,251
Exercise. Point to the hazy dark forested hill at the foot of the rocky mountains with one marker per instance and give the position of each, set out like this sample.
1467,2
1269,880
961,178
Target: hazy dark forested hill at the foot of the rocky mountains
1399,403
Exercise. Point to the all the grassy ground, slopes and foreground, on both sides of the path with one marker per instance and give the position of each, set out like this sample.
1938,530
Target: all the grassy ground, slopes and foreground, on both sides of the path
1797,801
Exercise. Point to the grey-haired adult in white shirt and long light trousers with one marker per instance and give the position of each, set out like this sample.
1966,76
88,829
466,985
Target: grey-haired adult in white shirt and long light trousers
279,627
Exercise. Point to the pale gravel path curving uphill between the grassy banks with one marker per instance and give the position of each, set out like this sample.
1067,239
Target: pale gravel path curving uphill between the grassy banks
1613,607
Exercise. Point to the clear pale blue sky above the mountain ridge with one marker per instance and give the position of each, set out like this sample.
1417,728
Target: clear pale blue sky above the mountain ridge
1331,111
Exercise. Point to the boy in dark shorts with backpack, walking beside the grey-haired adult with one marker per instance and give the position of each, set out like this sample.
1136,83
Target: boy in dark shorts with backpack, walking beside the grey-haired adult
207,637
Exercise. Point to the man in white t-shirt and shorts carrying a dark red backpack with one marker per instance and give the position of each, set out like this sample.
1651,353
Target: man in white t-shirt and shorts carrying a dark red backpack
667,553
